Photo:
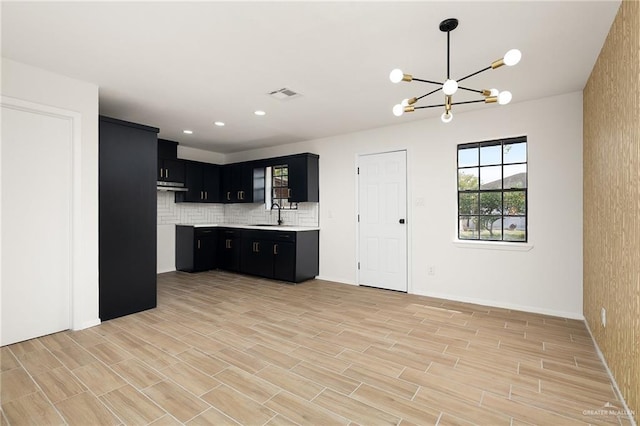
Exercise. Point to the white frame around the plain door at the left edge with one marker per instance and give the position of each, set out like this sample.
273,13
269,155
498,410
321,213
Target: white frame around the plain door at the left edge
74,155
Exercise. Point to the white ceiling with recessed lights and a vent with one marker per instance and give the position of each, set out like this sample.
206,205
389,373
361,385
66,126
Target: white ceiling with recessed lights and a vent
185,65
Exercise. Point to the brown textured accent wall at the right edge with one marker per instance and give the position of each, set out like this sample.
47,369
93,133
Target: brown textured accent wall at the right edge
612,201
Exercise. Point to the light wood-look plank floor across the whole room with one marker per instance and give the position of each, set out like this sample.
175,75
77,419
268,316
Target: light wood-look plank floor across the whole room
226,349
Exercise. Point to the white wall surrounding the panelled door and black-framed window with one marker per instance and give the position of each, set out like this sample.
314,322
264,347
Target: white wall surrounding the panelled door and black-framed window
546,279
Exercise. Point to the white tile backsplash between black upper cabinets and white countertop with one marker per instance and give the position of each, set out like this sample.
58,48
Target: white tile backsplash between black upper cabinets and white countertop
170,212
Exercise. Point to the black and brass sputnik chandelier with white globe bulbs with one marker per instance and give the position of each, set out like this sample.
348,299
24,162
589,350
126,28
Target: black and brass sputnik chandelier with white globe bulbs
450,86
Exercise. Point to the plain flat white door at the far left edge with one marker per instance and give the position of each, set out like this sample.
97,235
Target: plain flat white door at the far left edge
36,224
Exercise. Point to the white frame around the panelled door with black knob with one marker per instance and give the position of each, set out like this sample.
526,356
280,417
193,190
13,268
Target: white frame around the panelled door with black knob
408,219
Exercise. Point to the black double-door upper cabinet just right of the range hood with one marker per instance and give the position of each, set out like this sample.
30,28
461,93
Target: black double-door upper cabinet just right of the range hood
202,181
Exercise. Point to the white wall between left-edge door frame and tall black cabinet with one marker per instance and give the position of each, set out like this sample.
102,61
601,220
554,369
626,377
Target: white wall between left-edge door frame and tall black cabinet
37,85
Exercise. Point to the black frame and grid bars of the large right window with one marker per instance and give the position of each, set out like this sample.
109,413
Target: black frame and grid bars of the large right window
502,214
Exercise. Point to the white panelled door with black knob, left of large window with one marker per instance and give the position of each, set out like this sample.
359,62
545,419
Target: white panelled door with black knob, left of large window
382,229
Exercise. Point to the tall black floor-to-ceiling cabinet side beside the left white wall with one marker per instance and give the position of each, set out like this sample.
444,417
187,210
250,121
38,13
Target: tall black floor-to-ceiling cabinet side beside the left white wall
127,217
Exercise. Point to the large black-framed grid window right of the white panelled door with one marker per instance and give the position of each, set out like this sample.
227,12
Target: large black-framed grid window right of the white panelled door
492,190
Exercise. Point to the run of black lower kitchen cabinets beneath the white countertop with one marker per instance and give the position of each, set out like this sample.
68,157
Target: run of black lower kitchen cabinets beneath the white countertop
281,255
